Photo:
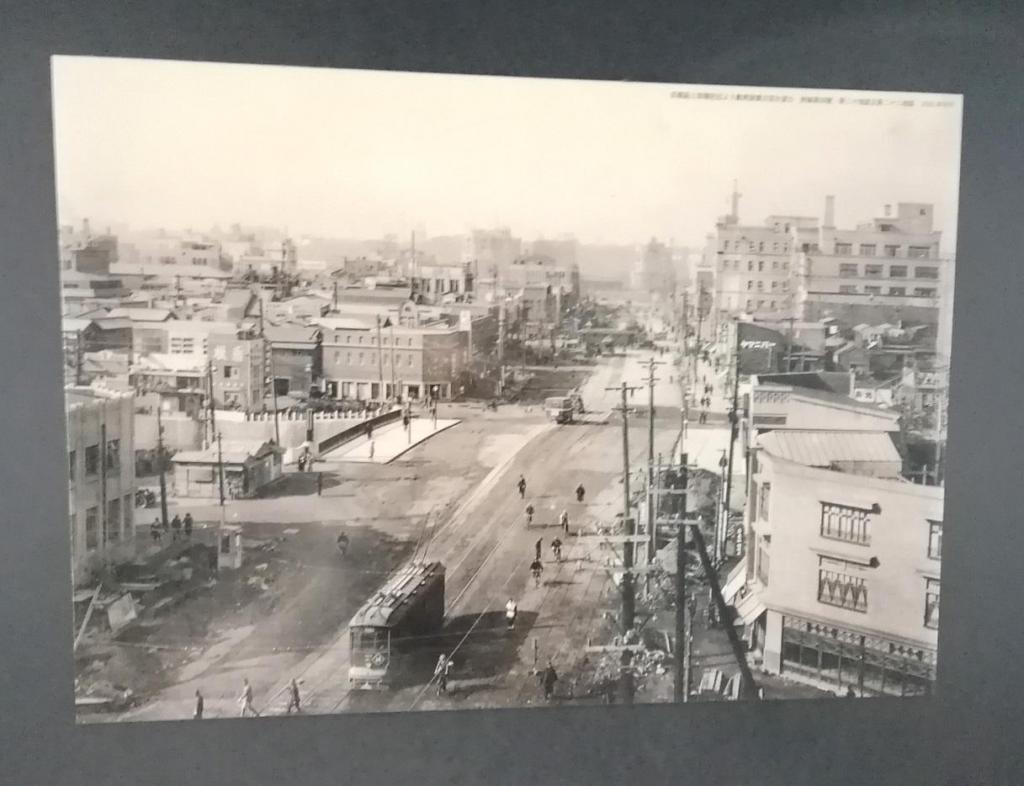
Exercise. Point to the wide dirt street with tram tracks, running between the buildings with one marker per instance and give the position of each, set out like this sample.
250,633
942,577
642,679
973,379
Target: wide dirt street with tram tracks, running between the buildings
479,532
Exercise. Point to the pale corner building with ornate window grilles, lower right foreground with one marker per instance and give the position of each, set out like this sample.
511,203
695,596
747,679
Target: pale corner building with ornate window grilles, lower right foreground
841,579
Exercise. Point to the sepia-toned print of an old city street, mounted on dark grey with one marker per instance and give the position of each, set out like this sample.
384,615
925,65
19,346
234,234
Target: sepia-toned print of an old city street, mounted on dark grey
392,391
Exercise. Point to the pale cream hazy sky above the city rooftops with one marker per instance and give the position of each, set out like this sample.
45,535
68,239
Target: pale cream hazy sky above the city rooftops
355,154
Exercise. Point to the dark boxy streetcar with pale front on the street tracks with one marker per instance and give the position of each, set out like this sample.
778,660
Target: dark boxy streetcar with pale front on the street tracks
385,633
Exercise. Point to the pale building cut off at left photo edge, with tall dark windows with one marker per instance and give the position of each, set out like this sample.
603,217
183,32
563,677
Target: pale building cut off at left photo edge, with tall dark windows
102,479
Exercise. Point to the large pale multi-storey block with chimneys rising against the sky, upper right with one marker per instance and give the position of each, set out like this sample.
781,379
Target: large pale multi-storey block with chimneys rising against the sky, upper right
886,270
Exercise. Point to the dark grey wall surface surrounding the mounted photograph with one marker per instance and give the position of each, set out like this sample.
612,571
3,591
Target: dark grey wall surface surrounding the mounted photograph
969,735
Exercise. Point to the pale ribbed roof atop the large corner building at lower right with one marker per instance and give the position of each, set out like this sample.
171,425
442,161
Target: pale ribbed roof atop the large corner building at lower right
824,449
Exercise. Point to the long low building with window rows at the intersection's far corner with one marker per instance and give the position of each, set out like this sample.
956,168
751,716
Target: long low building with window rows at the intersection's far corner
364,363
